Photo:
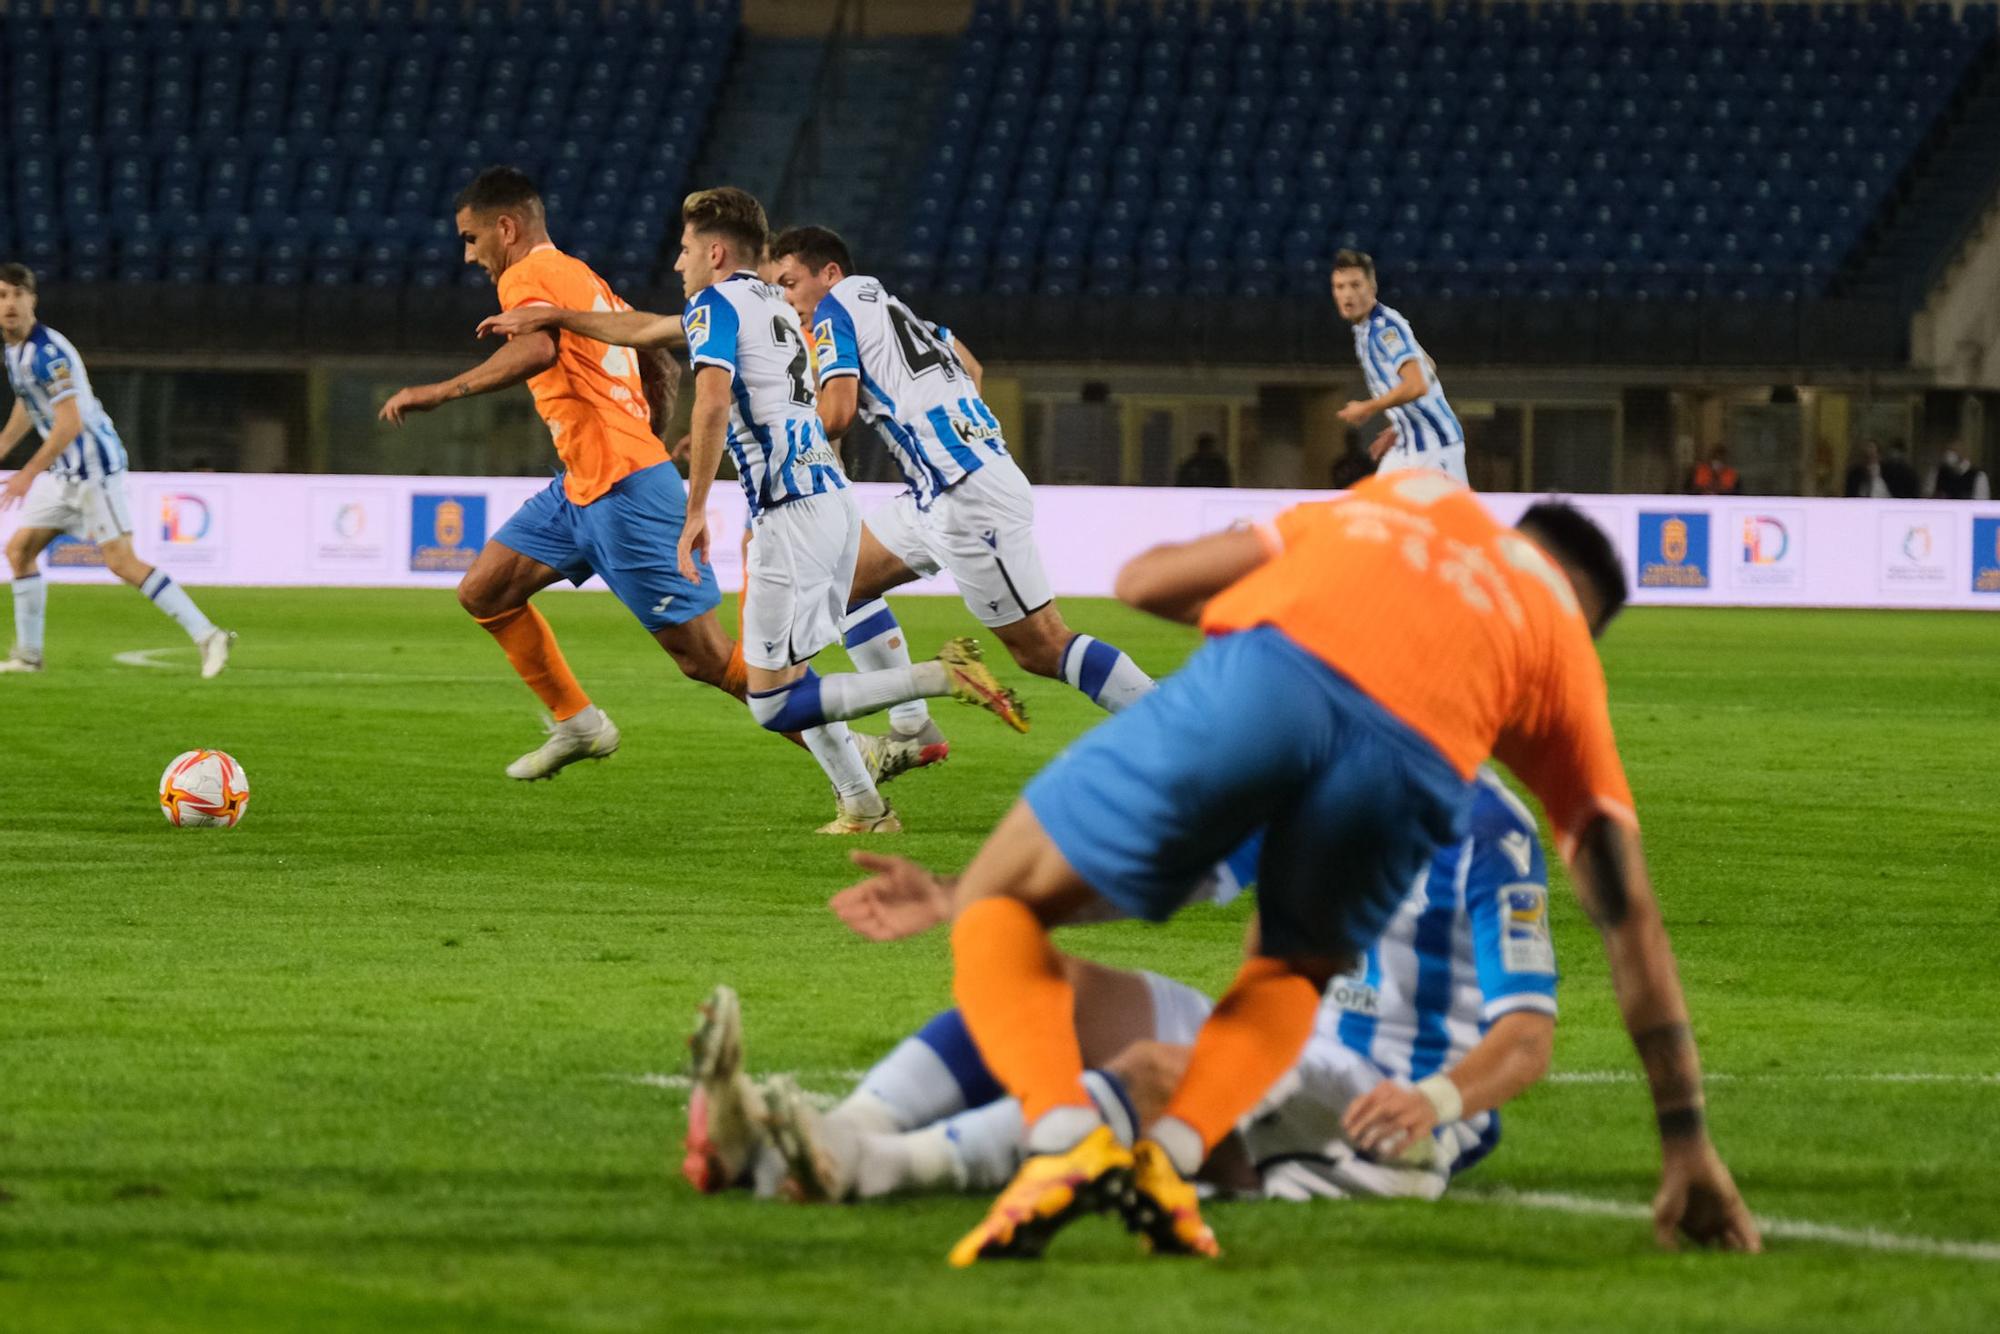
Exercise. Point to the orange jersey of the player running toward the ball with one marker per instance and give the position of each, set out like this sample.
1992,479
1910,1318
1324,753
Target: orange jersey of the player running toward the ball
593,397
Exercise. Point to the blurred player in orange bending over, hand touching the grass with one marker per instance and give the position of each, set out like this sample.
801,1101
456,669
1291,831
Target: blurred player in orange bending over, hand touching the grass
1365,657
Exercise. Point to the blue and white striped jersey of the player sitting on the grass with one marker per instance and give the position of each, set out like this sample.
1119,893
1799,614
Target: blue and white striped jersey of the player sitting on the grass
1467,947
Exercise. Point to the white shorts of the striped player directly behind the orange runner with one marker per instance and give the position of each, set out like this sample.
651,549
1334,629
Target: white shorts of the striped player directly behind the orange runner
799,579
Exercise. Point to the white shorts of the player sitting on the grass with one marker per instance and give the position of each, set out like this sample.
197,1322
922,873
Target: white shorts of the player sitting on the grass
1297,1145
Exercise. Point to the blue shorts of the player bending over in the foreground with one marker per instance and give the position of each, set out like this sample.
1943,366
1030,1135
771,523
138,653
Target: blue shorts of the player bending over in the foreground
1257,733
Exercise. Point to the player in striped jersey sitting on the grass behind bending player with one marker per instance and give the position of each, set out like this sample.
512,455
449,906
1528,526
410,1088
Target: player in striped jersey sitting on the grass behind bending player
1449,1017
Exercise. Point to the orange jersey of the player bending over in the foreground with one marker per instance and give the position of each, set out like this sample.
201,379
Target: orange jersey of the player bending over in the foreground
1453,623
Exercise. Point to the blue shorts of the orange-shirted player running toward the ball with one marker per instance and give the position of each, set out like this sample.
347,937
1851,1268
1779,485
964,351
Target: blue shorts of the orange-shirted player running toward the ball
631,537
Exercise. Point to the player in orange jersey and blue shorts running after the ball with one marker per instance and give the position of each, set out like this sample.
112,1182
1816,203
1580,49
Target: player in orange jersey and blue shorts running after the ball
617,507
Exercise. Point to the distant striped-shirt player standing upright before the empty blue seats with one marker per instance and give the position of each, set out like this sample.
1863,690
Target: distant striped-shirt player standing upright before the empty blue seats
1403,381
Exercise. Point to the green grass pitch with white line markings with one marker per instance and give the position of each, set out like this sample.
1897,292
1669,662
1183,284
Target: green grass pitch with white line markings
373,1061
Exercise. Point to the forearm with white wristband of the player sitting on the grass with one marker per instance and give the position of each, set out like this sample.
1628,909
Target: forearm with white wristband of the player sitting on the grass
1507,1061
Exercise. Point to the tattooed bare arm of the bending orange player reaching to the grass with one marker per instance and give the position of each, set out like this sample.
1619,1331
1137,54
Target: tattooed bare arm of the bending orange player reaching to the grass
1697,1195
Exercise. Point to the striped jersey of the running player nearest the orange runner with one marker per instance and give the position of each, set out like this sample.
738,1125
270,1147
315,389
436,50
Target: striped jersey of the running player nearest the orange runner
781,449
